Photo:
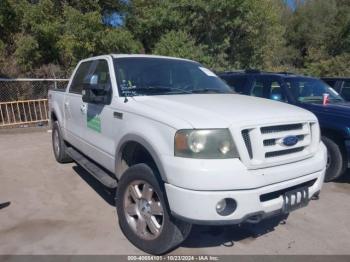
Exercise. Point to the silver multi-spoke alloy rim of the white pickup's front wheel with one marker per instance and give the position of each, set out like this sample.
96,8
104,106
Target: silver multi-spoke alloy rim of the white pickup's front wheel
143,210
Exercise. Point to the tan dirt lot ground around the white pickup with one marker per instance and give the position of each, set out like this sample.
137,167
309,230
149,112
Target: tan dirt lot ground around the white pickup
59,209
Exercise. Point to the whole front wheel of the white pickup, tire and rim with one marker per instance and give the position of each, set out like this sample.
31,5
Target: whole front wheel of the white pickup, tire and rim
143,213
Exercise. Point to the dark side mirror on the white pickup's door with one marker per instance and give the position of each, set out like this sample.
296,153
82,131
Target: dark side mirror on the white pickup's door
96,93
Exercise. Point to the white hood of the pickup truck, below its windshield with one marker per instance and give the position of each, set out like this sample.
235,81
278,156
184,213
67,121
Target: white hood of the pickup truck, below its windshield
223,110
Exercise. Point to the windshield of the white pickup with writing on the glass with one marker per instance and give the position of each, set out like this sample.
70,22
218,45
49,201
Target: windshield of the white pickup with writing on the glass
160,76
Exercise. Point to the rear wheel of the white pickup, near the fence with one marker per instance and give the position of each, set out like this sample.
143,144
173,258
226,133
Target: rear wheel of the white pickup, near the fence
59,145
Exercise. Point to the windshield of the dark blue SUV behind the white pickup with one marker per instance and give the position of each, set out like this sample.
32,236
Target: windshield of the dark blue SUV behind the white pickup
309,90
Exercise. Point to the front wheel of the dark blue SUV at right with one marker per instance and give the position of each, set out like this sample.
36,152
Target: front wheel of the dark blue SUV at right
335,160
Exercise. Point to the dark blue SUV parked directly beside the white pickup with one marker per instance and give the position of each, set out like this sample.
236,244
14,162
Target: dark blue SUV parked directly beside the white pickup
308,93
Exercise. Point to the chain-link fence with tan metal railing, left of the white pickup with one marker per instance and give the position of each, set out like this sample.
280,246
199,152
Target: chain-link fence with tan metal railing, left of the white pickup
23,102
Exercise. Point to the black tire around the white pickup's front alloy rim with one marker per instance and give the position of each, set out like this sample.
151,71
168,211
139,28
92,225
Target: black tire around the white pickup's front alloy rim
173,231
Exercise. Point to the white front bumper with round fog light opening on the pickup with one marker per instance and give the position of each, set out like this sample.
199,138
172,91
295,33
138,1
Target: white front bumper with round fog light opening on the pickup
199,207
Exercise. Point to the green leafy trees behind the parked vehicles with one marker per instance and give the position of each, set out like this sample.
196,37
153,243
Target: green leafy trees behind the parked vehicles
42,36
